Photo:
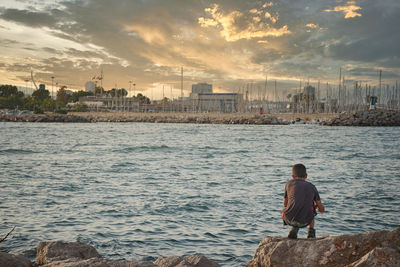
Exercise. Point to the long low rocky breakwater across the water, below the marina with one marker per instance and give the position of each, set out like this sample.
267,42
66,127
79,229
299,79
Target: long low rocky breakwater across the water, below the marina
360,118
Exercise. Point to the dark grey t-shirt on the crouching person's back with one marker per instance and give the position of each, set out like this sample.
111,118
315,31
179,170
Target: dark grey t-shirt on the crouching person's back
301,196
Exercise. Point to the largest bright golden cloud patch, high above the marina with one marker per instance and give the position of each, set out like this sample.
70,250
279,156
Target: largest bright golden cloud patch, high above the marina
236,25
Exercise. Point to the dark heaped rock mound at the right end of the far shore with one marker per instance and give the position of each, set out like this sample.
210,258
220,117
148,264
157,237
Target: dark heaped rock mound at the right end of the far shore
365,118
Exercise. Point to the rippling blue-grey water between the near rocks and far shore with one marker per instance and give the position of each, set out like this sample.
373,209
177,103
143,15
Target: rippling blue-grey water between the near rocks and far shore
136,191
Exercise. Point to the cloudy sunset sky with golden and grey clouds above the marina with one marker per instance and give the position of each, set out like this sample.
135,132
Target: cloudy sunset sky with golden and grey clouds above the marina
232,44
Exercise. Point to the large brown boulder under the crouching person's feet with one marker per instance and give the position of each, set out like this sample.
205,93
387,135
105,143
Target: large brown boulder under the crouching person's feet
369,249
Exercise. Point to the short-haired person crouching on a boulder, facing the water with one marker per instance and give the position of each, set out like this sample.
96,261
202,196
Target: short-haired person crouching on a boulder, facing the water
299,203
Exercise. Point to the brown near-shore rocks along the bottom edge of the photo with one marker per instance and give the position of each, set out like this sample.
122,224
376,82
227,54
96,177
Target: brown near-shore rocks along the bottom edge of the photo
380,248
